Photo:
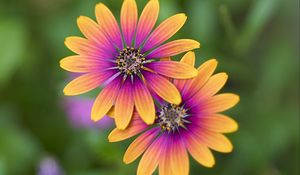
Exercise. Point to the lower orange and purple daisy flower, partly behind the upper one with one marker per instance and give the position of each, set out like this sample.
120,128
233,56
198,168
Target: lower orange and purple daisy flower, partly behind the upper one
193,126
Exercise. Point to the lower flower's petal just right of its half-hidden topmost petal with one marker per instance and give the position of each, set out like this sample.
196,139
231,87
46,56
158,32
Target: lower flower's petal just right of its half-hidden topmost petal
204,72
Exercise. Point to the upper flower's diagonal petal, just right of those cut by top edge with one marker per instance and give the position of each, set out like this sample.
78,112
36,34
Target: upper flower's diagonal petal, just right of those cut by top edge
165,31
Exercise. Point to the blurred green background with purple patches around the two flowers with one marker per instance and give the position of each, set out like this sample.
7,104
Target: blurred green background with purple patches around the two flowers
43,132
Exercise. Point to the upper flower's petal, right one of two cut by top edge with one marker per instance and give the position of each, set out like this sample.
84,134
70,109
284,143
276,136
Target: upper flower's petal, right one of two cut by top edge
147,21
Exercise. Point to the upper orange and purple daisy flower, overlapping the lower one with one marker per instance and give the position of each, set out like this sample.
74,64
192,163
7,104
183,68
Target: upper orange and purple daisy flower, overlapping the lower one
130,63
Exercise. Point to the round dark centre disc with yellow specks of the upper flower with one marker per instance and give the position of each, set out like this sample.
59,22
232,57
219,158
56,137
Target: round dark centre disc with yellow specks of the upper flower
130,61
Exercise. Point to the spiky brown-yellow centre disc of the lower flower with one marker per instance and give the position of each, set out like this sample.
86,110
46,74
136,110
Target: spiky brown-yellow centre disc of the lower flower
171,117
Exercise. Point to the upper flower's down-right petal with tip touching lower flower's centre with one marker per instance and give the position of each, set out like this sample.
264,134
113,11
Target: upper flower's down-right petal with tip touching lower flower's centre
163,88
